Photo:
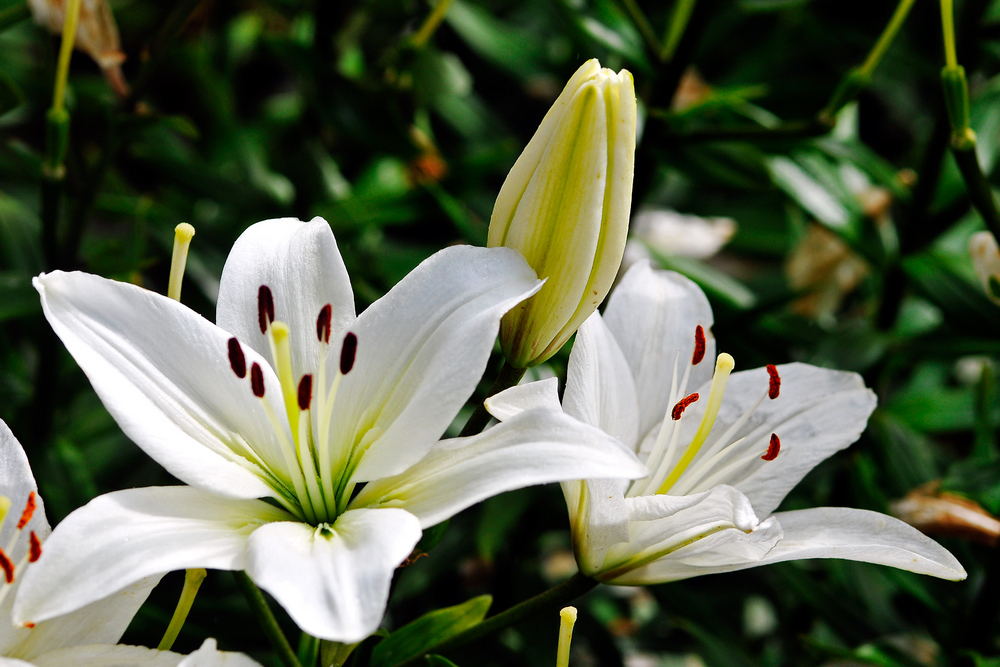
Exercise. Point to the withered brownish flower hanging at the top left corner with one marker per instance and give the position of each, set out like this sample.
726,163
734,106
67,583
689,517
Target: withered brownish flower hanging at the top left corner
96,35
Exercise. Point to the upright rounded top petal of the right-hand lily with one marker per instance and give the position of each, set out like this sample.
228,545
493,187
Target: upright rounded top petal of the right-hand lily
653,316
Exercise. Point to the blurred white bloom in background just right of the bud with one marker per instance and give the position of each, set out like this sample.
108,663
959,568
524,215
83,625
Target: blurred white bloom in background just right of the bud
675,234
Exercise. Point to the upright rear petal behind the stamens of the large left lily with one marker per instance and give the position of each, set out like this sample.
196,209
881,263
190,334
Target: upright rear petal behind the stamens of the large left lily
300,263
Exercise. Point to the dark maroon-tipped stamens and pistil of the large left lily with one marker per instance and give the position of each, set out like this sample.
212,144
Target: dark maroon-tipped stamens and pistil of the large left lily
318,490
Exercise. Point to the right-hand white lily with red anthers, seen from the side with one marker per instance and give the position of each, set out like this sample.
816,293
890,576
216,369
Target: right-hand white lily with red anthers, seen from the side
721,457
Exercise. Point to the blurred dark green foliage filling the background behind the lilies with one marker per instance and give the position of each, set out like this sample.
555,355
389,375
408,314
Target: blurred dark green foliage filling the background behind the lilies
242,111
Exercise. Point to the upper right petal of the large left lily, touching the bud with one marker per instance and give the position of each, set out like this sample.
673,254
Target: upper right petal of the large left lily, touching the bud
421,350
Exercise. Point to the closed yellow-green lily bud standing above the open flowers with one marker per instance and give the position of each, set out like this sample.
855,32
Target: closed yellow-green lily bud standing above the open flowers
565,206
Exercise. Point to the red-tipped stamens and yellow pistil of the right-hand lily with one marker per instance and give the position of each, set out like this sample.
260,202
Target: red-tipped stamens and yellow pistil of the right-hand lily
705,461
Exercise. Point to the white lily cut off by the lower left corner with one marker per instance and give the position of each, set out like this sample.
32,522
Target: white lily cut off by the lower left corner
86,637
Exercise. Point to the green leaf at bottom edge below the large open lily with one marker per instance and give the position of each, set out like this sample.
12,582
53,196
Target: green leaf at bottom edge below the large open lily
429,630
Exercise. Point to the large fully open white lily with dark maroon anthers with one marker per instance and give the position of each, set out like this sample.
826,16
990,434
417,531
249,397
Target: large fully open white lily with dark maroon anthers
276,416
